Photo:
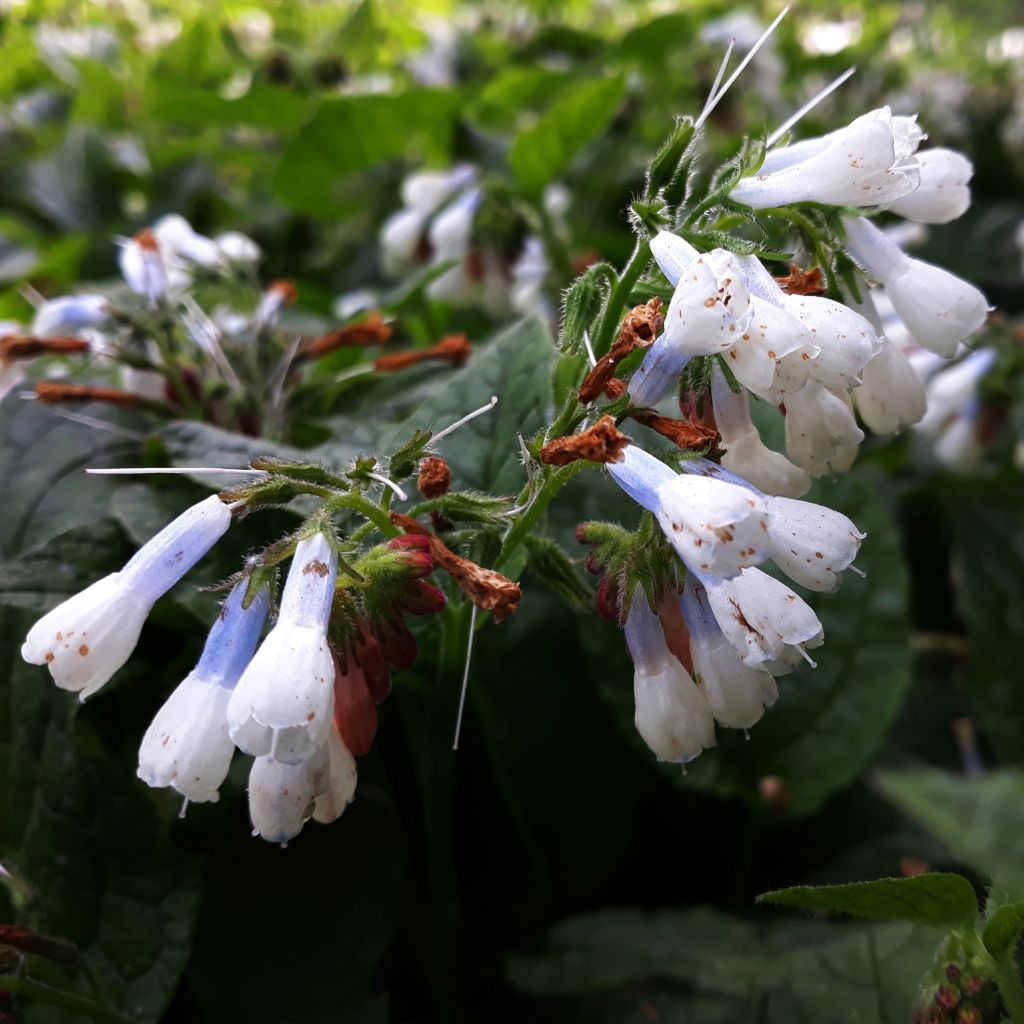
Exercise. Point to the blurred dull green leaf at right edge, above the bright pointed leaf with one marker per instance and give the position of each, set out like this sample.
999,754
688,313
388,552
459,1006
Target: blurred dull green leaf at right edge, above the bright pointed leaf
982,821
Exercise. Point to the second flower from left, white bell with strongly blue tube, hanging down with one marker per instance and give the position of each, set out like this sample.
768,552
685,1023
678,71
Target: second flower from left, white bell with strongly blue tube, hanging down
188,746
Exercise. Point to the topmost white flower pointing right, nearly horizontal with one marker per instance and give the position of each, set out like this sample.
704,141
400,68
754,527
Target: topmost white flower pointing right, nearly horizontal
869,163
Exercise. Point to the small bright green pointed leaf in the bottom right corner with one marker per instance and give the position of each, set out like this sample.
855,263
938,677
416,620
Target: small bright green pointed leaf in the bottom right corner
944,901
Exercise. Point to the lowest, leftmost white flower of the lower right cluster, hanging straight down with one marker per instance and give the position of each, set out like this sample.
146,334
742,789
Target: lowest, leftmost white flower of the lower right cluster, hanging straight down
672,713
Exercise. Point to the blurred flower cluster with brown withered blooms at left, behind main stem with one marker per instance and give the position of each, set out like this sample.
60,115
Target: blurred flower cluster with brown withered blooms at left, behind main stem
191,333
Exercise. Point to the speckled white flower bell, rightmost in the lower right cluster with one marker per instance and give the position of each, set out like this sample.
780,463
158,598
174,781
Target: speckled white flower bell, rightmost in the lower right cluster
810,543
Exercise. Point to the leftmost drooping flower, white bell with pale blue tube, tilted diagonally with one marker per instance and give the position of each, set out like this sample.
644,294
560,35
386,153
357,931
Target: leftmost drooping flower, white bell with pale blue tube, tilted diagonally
88,638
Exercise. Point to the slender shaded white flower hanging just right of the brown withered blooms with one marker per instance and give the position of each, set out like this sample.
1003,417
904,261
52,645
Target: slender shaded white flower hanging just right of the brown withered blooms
746,454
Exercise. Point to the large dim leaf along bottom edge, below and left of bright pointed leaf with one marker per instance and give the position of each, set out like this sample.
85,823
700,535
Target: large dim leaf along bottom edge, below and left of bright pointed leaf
793,971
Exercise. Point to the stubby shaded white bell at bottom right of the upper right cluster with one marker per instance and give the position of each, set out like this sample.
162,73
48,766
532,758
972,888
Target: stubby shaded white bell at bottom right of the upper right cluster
822,433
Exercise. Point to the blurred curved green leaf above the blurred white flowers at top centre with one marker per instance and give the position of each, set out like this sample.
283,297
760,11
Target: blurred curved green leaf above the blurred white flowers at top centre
352,135
